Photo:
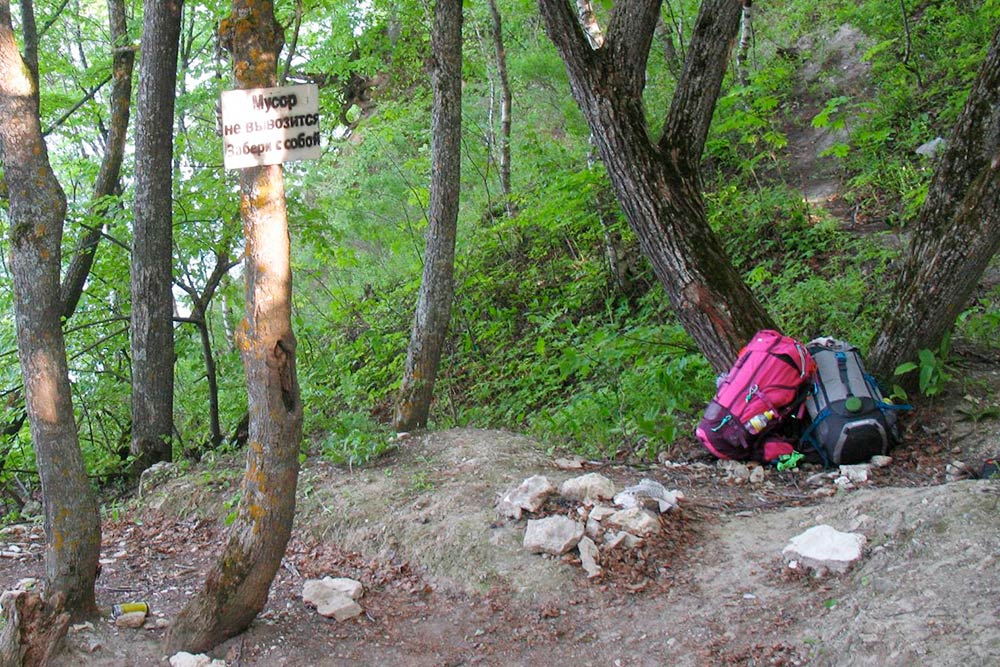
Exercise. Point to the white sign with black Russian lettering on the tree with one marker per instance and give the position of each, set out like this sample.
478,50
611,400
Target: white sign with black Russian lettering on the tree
263,126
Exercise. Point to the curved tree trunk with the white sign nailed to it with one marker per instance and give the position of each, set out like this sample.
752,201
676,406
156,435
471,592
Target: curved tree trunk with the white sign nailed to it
237,586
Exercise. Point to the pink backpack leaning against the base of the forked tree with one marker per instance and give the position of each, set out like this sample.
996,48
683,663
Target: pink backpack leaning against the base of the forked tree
769,381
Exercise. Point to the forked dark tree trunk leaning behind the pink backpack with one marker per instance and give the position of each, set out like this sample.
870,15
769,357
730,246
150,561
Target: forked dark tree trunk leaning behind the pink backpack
658,184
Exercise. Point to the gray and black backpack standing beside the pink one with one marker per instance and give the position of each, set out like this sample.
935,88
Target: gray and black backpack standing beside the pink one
851,422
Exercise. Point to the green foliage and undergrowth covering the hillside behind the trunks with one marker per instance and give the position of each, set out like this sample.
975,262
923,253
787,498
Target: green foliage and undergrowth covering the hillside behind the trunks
542,338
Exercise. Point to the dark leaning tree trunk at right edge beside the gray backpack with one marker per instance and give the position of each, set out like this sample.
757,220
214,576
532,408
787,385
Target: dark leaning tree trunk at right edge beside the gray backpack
956,233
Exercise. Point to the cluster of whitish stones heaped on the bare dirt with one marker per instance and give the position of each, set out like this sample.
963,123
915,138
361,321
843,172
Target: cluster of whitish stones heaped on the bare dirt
604,519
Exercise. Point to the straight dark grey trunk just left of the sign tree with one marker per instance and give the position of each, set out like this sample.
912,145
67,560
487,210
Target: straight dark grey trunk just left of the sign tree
152,248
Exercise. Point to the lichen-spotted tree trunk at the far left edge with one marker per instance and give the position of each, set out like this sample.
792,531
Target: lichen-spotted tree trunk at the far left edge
37,212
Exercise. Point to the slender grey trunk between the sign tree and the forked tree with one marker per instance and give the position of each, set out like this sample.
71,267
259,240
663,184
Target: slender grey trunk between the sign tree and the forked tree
430,321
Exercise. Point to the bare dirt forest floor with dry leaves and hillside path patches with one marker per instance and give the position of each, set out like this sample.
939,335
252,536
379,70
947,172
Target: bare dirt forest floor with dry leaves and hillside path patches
448,582
